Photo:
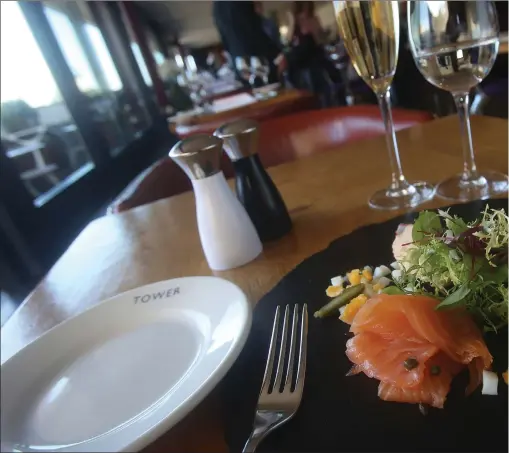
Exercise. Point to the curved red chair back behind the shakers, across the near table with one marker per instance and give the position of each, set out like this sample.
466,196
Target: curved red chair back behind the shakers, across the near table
282,139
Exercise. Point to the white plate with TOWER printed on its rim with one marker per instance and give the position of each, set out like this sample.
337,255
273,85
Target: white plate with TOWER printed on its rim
119,375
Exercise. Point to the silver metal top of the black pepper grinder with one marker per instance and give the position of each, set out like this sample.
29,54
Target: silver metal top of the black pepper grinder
240,138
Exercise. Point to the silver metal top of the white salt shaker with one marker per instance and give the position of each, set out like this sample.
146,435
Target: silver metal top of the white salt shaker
199,156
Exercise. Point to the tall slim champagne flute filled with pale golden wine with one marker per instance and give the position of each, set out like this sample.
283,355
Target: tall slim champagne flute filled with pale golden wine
370,33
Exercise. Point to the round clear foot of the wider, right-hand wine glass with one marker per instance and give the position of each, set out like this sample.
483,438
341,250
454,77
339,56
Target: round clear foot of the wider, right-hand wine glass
489,184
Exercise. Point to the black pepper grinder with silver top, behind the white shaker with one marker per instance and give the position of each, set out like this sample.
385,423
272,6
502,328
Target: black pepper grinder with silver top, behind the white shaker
255,189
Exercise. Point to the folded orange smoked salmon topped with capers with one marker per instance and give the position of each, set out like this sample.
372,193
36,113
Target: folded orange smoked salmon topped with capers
415,350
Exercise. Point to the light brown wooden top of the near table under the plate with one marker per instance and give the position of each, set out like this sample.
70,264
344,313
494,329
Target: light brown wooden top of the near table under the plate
326,195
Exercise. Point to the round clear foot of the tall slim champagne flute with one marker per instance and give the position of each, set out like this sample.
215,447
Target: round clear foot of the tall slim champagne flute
390,200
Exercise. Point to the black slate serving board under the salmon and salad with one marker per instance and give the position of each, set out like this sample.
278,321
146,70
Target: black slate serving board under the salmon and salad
340,413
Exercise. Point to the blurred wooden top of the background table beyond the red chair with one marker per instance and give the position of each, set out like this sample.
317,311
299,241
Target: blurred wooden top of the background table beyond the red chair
216,119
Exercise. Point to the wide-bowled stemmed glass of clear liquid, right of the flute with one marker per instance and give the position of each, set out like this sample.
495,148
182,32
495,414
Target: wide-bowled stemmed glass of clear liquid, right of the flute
454,45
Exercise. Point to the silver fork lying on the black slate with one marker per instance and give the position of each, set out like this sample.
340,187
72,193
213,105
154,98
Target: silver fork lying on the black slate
276,406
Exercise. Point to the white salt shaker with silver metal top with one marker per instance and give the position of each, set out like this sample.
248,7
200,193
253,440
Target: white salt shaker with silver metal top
228,236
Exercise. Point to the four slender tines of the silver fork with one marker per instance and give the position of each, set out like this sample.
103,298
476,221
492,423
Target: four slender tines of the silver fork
286,368
